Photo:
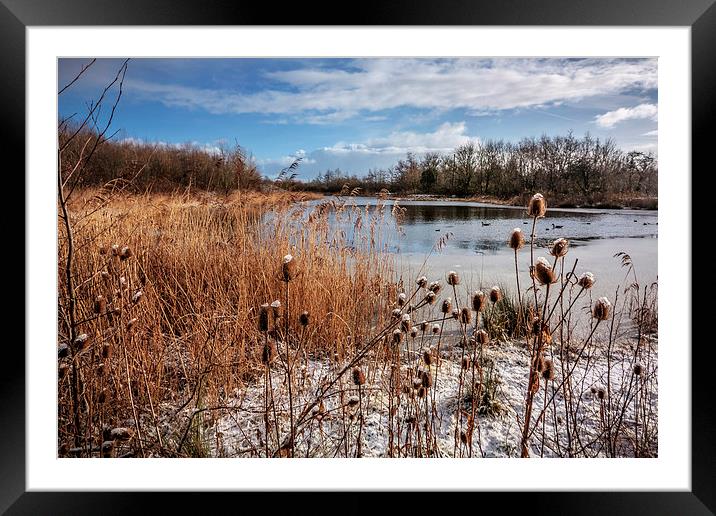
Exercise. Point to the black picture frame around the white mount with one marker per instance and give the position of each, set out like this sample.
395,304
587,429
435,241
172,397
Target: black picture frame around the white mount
700,15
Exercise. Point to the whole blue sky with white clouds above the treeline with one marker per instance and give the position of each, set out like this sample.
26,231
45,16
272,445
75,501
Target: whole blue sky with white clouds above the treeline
356,114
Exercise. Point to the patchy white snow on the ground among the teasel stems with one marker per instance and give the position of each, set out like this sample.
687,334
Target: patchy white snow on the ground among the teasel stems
333,431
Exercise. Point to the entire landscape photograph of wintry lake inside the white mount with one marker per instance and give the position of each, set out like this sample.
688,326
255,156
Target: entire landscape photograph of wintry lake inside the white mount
357,257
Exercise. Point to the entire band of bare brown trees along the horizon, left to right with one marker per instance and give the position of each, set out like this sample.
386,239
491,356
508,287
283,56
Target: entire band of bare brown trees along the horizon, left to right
584,171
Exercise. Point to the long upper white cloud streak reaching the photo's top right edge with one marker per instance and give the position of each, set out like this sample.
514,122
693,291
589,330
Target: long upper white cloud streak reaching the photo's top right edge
328,95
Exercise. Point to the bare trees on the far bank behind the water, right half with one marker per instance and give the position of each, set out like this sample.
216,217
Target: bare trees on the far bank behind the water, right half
585,171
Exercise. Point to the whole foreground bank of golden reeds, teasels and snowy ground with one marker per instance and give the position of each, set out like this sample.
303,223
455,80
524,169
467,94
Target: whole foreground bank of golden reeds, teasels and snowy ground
248,325
